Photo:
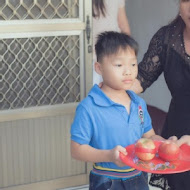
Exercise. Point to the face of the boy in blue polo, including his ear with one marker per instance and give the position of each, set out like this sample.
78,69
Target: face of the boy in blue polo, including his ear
119,70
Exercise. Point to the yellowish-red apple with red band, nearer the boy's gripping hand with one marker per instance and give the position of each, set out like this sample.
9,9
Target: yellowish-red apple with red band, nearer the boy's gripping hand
145,149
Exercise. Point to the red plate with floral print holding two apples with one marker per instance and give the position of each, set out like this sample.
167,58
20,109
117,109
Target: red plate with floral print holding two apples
157,165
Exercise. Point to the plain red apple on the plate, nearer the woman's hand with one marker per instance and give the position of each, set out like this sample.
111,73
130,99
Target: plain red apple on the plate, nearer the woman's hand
168,151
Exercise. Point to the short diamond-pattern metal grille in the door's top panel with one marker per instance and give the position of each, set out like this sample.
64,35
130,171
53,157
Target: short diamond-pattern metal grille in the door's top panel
38,9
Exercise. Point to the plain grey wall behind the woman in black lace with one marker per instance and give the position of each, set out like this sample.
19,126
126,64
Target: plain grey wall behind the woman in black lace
145,18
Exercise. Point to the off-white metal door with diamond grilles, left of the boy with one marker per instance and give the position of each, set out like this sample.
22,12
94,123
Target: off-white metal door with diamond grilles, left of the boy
45,70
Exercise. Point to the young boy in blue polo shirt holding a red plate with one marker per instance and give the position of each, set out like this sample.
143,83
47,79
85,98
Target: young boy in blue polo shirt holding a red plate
112,117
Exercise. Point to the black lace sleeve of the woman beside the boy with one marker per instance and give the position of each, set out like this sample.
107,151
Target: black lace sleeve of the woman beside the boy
152,64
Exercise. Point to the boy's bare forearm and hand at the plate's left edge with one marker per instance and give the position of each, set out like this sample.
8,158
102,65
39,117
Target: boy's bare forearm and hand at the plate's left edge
89,154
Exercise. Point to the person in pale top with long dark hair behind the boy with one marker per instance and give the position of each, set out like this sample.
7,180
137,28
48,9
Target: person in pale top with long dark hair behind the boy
108,15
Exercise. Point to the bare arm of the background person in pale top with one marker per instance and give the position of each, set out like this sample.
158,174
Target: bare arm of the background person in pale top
123,21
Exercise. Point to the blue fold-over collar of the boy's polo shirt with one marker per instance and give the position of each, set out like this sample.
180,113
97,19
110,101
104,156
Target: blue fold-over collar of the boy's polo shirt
101,99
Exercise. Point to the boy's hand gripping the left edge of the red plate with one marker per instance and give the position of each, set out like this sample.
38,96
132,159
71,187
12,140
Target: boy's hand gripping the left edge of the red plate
114,155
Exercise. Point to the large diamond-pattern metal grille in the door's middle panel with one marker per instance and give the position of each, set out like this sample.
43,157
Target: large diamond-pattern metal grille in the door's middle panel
39,71
